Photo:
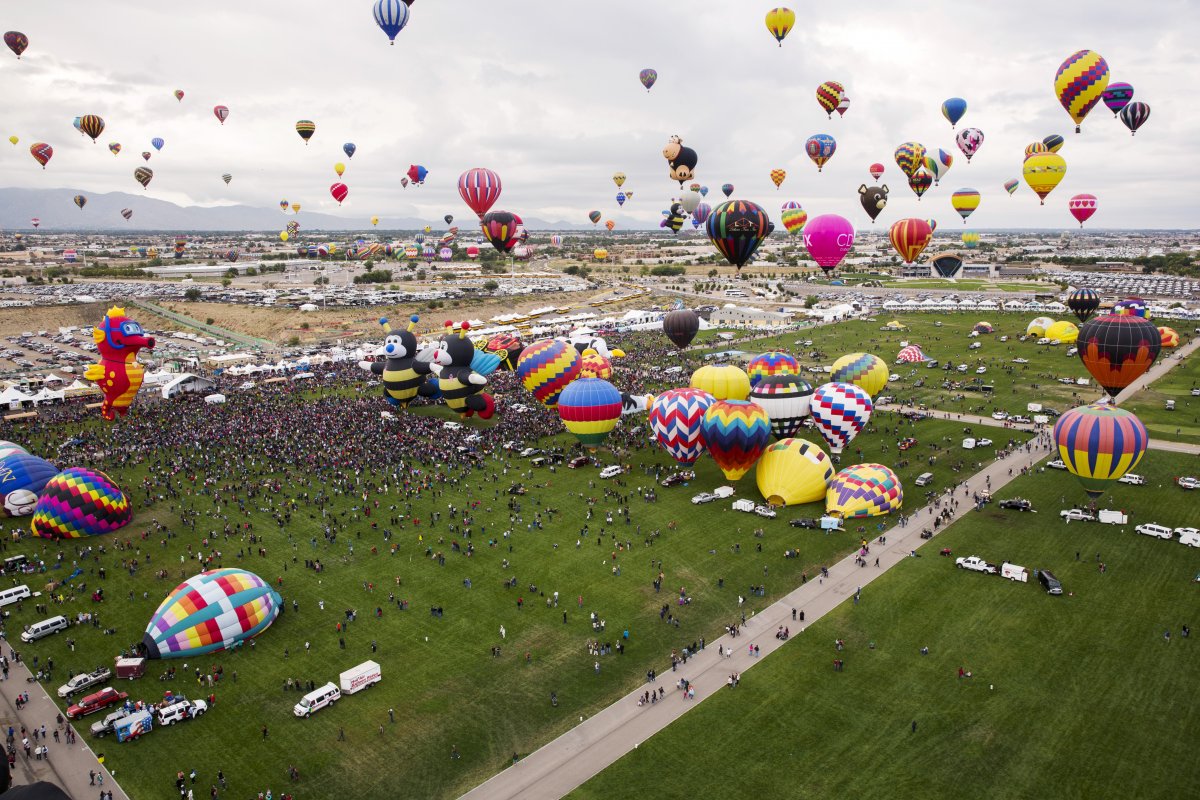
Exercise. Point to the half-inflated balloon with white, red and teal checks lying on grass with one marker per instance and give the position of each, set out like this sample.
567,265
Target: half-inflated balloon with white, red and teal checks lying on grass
211,612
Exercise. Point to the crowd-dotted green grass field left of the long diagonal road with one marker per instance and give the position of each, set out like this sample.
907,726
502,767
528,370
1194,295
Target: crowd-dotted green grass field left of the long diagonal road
440,677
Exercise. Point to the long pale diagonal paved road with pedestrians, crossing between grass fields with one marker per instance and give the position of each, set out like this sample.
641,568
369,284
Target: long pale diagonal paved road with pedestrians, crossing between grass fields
567,762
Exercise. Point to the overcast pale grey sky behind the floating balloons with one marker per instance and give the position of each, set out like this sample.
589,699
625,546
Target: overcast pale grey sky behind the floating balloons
547,94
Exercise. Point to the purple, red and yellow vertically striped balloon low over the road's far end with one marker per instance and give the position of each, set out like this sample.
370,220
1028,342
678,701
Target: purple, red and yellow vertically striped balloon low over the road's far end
1100,444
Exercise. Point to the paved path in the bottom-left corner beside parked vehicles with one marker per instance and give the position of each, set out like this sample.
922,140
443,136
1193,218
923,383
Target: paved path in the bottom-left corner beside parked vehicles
65,766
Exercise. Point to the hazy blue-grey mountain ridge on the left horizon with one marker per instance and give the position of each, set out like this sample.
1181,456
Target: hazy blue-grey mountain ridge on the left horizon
57,212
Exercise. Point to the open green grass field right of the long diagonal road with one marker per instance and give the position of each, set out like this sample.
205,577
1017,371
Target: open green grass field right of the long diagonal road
1076,696
